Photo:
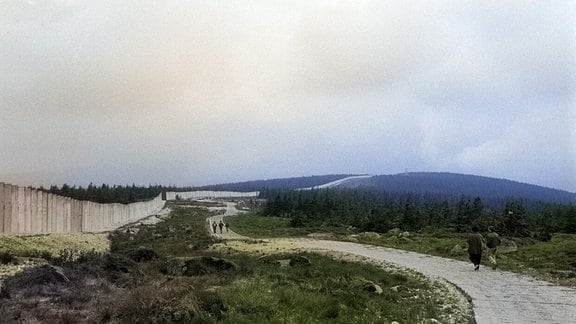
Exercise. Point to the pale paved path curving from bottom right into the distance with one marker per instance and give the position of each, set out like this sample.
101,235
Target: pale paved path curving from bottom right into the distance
497,296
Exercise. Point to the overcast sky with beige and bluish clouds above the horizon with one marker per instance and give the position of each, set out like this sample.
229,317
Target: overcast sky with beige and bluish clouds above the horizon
206,92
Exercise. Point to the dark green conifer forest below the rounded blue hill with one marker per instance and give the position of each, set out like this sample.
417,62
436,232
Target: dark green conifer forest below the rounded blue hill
378,211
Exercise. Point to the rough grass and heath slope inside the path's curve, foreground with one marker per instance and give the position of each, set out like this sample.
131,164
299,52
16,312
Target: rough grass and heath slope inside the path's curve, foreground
113,287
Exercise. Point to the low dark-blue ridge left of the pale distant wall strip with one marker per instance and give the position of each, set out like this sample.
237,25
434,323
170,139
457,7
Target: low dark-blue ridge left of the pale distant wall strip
281,183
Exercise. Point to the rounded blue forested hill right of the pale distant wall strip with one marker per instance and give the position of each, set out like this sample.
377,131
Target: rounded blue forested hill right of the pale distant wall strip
454,185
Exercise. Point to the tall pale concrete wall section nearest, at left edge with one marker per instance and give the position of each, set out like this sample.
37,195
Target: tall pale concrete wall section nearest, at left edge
24,210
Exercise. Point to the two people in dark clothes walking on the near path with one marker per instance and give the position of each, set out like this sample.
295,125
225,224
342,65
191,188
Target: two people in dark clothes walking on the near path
477,244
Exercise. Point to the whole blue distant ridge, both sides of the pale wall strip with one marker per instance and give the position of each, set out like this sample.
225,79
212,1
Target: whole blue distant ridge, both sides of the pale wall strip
443,184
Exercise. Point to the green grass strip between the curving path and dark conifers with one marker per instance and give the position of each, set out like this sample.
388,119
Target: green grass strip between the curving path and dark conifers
553,261
